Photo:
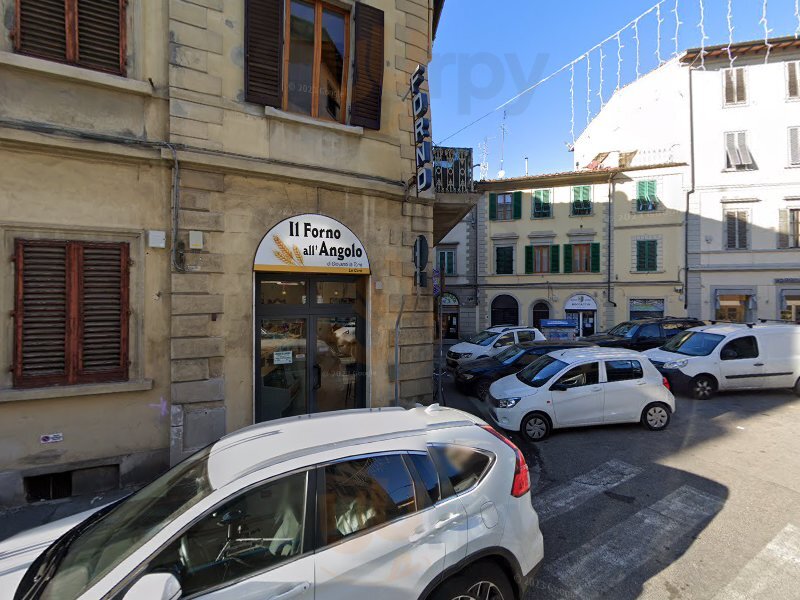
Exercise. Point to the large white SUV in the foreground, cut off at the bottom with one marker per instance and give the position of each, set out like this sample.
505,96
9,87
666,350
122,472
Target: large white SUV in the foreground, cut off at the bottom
391,504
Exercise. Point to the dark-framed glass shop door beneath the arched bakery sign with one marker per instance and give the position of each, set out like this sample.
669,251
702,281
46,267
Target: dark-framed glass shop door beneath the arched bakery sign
310,350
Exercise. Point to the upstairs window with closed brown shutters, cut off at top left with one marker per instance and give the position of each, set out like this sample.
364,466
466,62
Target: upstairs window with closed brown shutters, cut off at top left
85,33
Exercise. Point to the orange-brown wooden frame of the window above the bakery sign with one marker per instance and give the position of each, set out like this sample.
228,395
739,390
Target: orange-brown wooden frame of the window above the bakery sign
319,6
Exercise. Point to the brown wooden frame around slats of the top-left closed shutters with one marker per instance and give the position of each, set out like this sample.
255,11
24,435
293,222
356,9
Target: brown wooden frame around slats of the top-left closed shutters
72,39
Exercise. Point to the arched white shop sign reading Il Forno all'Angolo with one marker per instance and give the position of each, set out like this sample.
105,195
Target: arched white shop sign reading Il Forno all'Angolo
311,244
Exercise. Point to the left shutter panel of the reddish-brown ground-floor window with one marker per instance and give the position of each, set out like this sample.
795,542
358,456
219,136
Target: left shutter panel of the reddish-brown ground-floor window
40,313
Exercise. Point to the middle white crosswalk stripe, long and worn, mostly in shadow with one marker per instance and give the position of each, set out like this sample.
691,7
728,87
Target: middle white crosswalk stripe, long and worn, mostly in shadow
601,564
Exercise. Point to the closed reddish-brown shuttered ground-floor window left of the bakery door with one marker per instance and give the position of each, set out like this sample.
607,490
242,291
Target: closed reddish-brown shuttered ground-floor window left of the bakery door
71,313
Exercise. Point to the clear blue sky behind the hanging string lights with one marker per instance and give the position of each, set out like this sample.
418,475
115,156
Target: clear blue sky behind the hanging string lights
488,51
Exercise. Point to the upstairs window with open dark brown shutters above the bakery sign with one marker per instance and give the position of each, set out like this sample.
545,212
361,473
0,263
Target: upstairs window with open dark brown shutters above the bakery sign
298,59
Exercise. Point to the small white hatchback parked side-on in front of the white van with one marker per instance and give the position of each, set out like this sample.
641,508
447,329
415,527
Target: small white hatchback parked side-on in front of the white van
584,386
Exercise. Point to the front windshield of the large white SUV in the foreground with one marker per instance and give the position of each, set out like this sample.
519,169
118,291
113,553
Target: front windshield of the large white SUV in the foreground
104,545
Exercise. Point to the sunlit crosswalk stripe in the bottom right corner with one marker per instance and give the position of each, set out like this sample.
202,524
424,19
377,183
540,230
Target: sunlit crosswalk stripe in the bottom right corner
773,574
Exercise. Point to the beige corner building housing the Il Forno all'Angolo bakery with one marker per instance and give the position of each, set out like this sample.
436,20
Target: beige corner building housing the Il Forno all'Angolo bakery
208,218
